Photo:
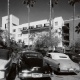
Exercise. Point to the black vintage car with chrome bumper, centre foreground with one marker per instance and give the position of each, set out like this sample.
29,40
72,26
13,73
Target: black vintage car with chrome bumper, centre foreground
32,65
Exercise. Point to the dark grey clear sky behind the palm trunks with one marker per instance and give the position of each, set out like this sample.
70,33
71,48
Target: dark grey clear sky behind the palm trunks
39,11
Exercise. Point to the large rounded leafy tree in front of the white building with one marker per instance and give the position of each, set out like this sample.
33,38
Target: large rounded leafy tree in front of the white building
43,41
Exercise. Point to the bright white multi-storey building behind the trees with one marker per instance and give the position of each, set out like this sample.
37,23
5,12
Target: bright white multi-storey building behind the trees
36,26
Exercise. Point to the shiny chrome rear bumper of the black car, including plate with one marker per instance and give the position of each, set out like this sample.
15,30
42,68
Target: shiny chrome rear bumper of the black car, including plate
34,75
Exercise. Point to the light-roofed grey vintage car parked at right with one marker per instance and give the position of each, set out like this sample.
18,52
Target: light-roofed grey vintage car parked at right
61,62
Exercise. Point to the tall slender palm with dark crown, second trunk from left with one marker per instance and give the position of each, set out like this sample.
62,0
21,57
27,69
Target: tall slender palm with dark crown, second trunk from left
29,3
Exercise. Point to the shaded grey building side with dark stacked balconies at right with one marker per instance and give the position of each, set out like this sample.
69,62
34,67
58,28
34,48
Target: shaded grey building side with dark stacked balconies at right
69,34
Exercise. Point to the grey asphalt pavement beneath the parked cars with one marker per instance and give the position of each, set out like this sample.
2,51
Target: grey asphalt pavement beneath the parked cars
62,77
